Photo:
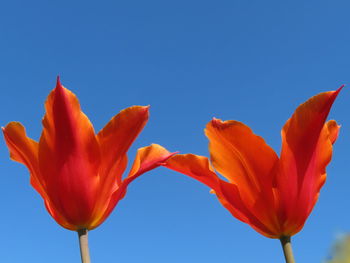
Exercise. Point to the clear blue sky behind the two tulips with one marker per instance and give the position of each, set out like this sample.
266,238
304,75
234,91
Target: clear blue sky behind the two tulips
252,61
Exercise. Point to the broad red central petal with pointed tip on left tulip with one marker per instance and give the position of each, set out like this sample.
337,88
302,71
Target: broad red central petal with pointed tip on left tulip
67,147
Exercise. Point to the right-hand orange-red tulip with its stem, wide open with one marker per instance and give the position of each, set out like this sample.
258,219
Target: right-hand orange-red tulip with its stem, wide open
274,195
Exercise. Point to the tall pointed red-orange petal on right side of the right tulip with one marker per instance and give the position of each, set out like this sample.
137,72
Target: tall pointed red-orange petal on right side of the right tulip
306,151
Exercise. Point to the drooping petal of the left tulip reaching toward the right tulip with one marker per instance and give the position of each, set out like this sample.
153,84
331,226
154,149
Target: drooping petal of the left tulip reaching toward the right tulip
147,158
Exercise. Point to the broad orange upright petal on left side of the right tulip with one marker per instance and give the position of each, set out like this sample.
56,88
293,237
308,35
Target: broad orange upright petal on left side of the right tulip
242,157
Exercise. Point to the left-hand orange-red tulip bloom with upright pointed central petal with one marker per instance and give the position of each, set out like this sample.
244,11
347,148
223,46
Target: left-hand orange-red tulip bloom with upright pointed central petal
78,173
